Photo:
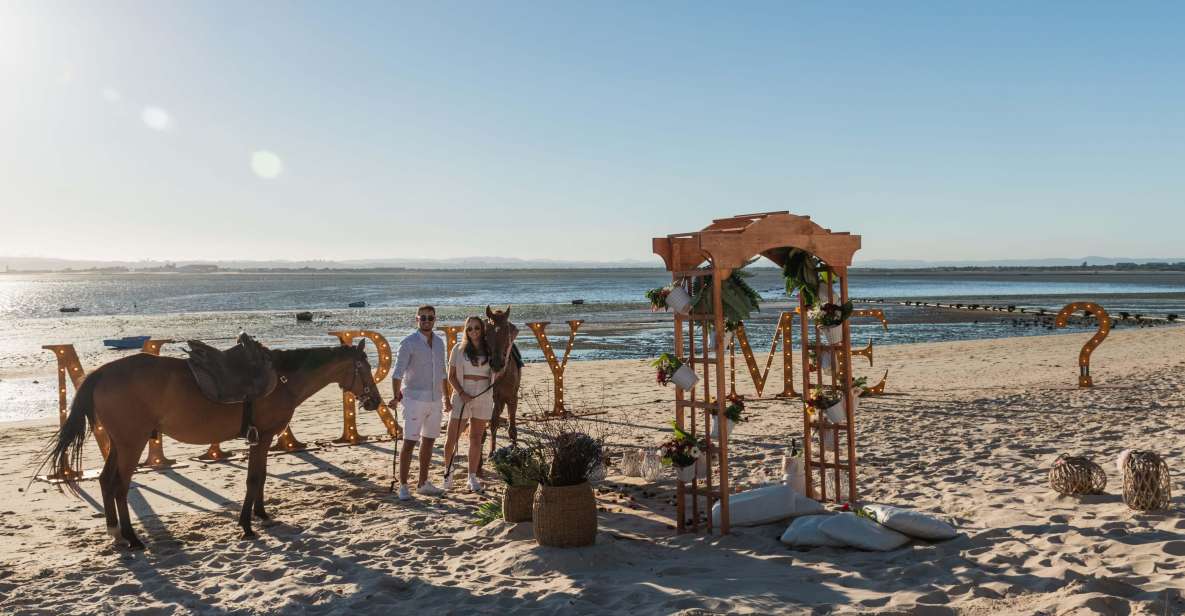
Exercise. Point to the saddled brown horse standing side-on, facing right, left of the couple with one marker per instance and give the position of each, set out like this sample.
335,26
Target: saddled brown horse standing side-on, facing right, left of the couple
139,395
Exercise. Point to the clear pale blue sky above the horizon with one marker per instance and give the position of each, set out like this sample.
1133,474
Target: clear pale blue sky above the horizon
580,131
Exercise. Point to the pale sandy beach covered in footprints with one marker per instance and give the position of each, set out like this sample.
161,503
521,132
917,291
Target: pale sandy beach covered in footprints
968,431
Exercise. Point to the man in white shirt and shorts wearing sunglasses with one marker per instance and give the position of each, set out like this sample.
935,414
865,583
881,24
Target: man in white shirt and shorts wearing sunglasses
419,381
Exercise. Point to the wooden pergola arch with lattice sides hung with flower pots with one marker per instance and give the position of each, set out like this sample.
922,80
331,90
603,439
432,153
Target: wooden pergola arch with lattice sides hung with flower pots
719,251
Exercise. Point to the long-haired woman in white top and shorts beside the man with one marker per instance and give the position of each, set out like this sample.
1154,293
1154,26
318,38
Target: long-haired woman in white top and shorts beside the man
473,397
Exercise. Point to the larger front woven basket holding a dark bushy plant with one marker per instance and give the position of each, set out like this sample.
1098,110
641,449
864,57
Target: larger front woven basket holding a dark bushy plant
566,517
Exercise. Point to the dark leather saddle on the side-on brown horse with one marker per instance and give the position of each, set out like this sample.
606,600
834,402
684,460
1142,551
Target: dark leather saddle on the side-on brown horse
241,374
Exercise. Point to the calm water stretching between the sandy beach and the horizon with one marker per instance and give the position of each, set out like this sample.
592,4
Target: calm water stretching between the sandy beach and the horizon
618,320
